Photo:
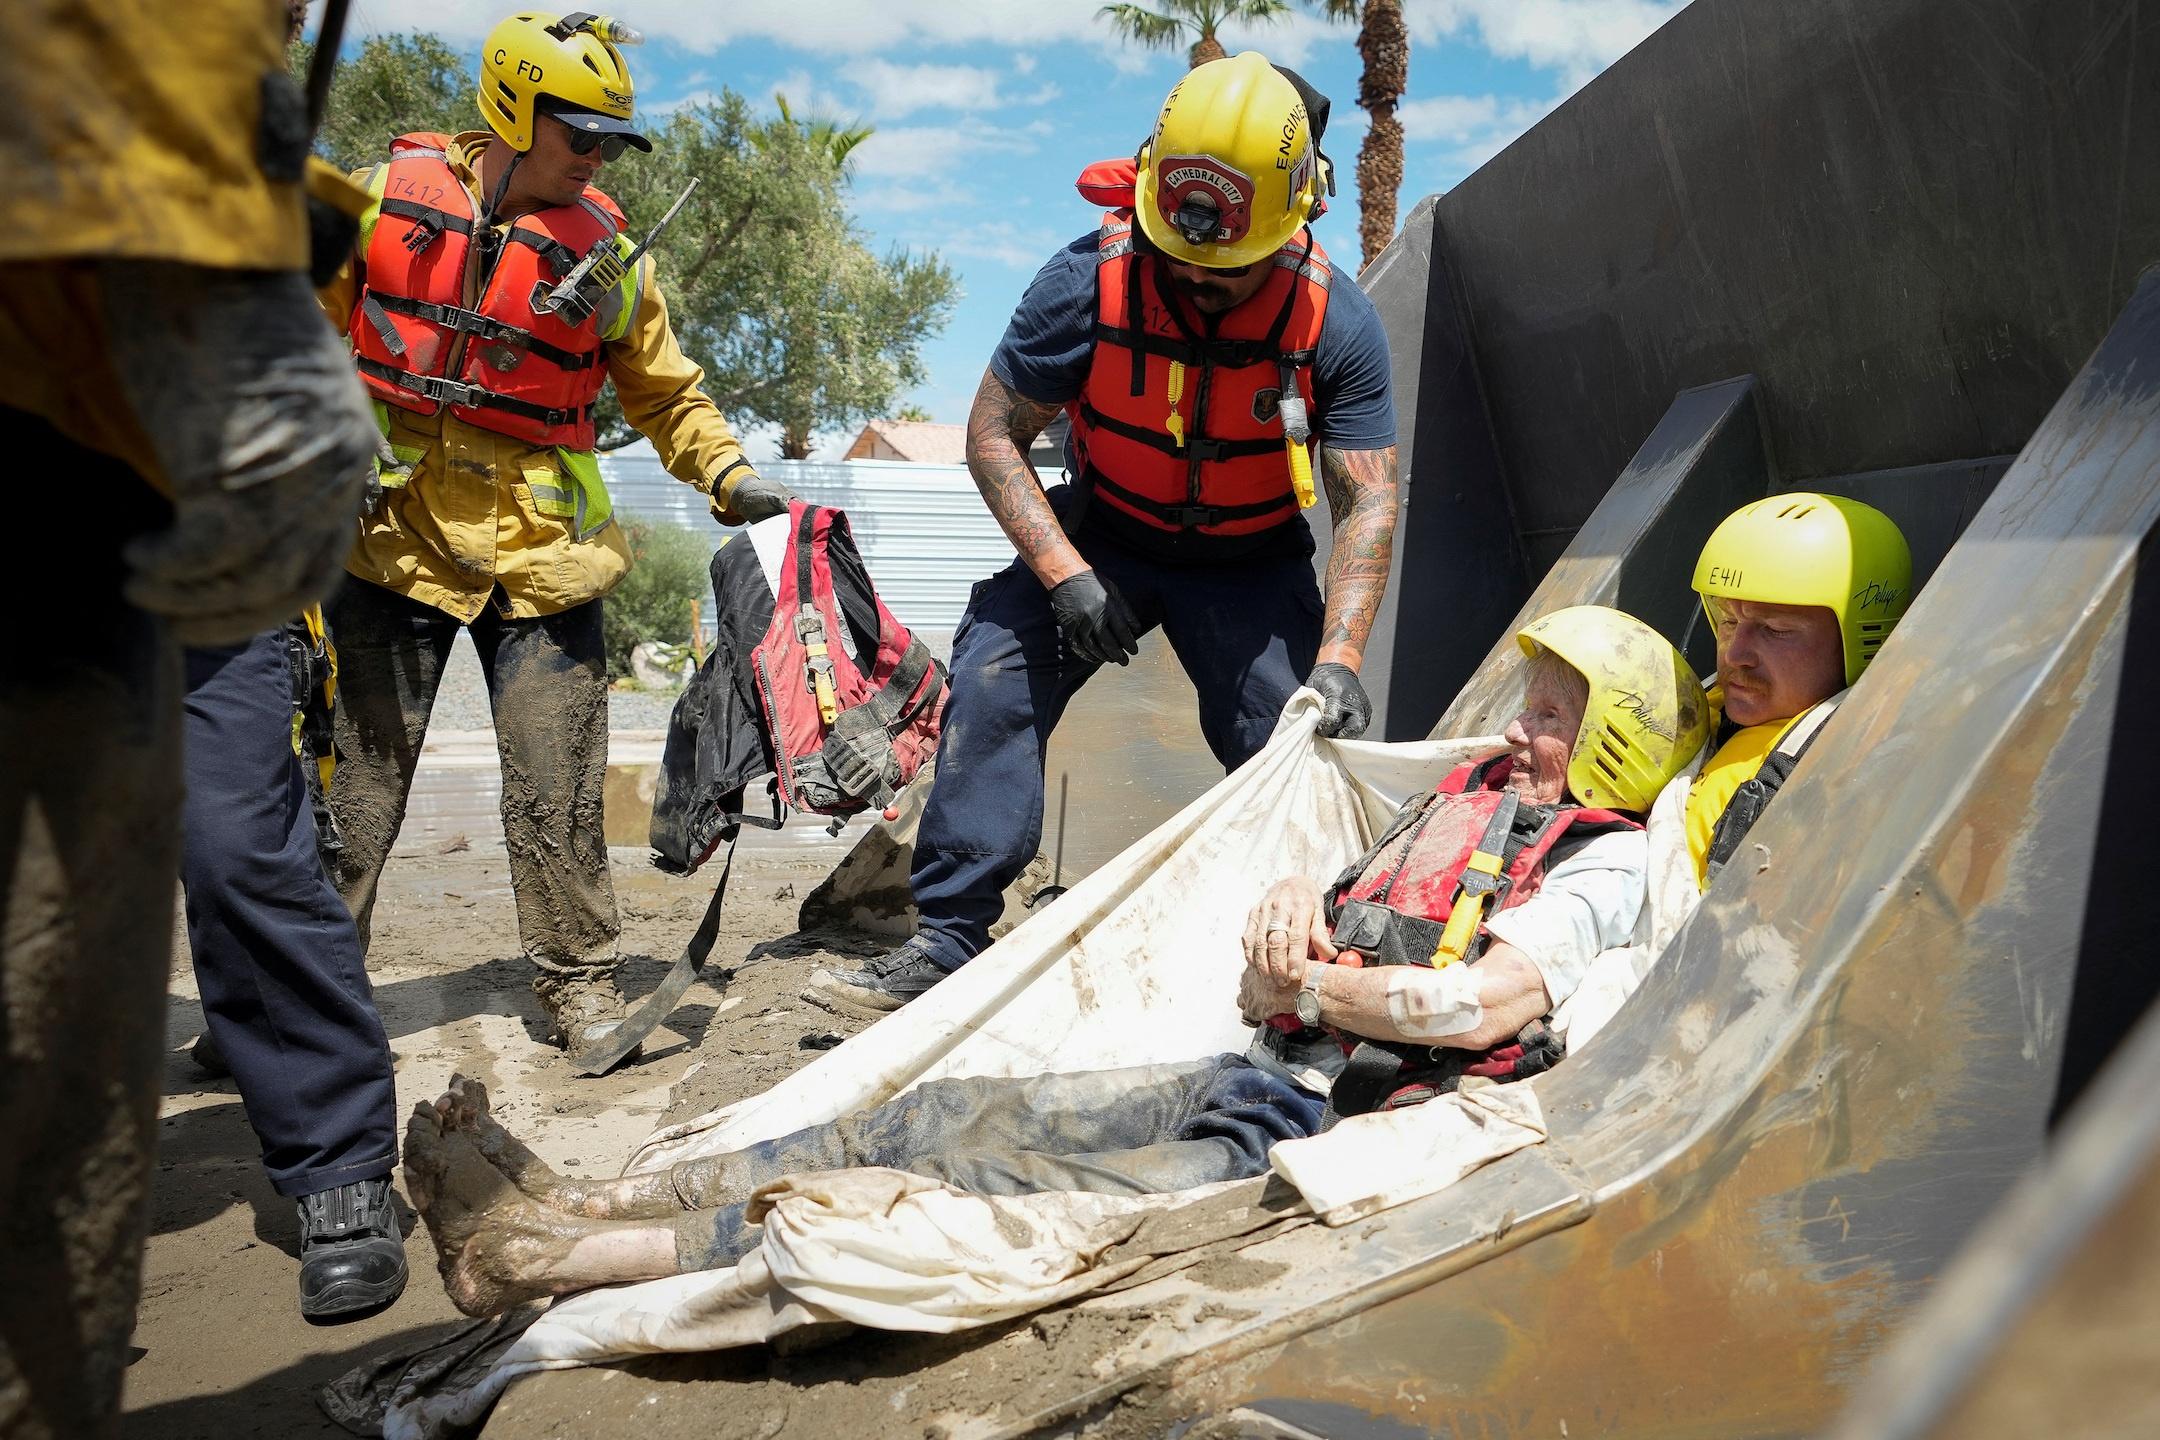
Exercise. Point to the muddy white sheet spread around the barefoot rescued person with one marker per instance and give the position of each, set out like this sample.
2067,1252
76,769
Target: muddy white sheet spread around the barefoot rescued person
1137,964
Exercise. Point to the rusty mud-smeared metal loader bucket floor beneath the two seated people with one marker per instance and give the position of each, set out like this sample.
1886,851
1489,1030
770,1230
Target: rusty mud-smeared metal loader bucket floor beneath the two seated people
1841,1065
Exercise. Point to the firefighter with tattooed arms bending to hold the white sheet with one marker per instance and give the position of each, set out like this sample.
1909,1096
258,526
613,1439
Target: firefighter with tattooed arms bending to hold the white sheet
1209,359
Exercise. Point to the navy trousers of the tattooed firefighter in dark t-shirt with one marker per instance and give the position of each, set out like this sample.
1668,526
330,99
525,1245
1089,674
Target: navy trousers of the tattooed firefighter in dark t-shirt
1245,636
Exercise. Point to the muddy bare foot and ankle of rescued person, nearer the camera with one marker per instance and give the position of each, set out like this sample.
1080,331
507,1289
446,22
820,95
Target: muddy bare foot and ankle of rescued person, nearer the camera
496,1247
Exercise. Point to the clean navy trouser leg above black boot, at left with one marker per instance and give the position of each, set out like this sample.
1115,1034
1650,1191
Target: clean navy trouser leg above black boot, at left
275,953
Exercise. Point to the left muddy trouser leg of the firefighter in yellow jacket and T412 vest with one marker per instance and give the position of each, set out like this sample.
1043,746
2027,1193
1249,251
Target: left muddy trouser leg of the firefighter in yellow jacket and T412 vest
390,666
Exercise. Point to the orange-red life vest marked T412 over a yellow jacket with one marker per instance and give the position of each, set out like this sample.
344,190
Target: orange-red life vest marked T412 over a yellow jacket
522,372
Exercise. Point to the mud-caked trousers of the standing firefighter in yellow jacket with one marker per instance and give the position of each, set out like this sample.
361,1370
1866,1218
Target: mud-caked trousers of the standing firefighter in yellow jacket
548,683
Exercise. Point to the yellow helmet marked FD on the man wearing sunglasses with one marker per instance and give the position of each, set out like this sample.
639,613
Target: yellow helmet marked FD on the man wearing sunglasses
565,66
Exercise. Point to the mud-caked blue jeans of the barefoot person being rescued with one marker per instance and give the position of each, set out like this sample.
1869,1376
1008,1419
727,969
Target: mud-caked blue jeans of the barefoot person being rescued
1142,1130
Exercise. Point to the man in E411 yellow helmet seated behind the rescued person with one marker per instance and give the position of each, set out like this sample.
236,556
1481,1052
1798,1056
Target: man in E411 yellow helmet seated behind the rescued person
1800,590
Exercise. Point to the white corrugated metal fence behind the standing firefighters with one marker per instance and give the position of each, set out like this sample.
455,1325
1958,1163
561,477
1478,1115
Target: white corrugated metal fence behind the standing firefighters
923,528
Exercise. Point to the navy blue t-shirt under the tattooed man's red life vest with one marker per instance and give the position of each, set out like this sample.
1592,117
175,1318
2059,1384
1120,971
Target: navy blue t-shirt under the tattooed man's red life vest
1051,342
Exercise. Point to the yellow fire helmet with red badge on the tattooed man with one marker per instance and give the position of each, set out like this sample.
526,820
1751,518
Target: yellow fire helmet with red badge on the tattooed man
1232,169
